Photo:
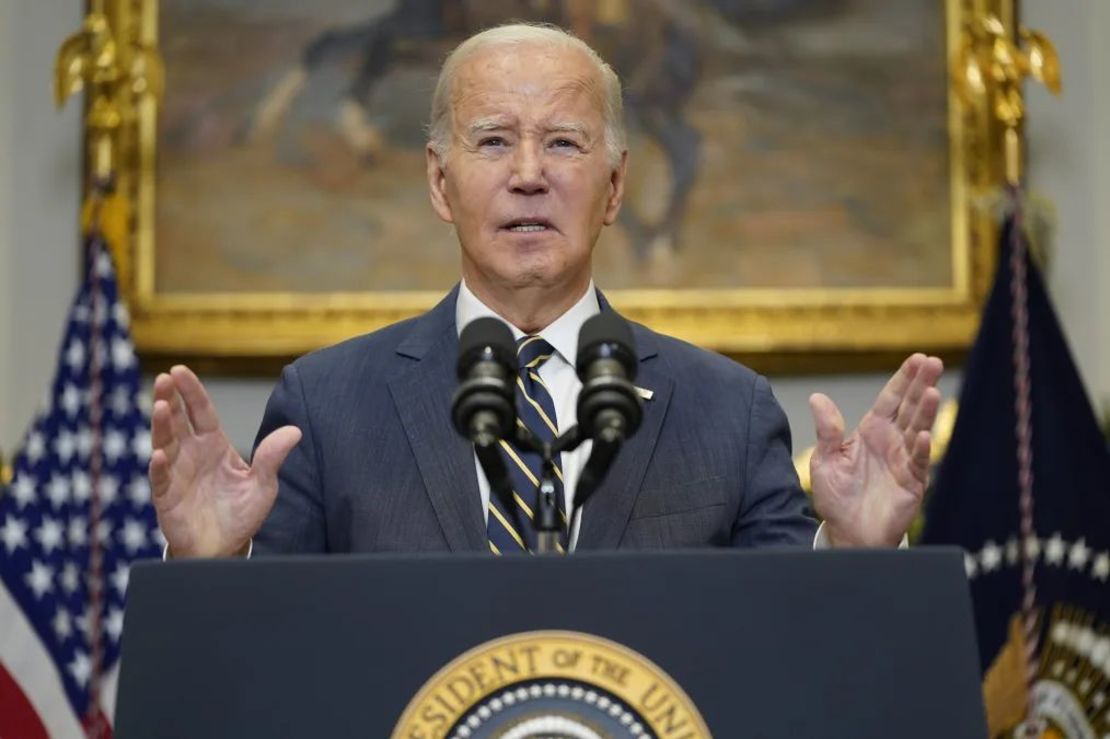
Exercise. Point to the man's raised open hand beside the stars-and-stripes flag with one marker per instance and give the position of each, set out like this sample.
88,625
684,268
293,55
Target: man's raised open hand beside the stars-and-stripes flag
209,501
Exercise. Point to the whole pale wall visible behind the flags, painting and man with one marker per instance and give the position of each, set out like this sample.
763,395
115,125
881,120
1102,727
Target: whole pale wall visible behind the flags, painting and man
39,180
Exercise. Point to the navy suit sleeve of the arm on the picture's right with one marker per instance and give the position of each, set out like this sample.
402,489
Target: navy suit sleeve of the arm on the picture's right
774,510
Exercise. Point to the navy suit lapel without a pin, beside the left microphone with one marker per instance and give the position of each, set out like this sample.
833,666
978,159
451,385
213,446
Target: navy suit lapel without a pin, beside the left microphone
422,393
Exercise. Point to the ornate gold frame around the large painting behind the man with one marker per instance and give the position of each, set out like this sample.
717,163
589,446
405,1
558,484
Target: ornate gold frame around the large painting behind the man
771,329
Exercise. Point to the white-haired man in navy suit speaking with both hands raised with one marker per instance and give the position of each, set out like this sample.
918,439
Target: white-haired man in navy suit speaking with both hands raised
357,452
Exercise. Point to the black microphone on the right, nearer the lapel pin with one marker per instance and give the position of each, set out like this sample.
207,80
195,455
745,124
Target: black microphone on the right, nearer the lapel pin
609,406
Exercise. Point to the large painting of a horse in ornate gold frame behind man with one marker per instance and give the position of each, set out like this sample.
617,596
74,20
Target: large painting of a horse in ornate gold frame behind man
801,173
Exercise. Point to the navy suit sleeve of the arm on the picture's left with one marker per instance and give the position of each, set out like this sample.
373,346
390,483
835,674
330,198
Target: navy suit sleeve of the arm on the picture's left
297,523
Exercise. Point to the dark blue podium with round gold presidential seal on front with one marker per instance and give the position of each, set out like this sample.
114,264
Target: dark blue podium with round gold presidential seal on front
764,644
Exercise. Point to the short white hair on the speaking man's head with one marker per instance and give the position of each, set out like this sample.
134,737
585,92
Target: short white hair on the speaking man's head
439,130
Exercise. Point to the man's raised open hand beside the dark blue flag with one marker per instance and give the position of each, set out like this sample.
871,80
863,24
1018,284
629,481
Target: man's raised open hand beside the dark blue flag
869,487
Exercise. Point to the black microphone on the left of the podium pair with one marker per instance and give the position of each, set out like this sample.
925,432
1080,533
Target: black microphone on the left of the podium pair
483,409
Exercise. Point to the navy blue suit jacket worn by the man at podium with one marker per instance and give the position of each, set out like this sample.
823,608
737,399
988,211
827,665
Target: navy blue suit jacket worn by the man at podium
381,469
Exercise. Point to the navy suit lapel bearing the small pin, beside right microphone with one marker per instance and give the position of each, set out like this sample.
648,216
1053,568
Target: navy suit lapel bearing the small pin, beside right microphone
607,515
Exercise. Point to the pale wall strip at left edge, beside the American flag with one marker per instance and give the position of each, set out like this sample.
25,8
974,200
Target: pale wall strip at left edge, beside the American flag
41,165
